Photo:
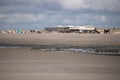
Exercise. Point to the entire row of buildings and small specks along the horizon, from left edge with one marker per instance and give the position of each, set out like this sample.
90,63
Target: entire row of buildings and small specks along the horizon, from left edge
62,29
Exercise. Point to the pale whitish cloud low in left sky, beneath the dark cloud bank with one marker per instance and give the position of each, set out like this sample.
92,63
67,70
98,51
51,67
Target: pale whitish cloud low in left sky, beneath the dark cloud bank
24,18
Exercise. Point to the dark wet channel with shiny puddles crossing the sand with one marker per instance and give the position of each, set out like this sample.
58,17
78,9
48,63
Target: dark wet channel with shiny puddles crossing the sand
81,49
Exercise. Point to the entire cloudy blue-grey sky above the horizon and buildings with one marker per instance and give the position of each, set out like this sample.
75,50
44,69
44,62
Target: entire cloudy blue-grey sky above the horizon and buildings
37,14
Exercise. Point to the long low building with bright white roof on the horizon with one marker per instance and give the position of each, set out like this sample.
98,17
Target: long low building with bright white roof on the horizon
77,29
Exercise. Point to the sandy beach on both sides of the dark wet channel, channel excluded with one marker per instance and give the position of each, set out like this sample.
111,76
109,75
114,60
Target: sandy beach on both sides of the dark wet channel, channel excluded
37,64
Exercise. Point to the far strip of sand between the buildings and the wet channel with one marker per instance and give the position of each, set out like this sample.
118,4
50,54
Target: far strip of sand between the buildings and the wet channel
62,38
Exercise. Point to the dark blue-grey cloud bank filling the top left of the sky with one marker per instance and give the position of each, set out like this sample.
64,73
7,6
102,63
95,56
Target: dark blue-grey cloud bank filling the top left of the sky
29,6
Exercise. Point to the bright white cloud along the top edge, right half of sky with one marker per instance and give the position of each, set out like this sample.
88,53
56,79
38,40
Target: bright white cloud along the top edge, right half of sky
111,5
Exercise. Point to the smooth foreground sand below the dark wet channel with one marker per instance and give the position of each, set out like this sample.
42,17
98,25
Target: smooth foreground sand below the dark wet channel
26,64
